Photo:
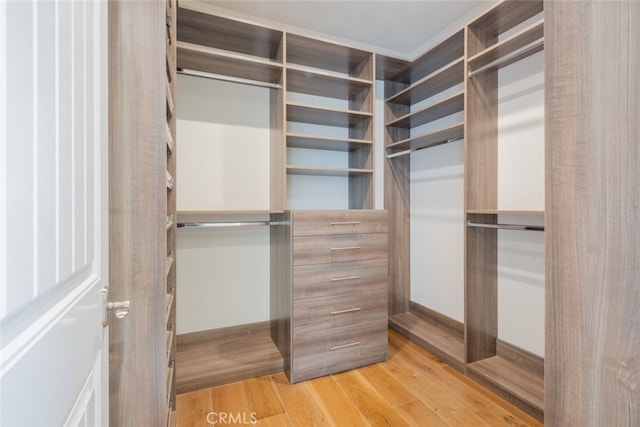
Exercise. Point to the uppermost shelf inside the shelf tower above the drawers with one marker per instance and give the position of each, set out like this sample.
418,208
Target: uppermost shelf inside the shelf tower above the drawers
320,83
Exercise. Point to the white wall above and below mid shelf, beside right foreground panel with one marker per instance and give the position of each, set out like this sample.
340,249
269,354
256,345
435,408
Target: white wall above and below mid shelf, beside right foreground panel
521,187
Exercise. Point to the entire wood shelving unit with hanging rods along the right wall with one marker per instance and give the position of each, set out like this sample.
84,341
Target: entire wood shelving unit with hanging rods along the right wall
448,94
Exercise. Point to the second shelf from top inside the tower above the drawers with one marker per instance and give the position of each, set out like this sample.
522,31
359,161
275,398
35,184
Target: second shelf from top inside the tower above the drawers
303,113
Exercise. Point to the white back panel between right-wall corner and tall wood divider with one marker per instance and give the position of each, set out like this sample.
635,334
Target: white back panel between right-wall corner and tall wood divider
437,233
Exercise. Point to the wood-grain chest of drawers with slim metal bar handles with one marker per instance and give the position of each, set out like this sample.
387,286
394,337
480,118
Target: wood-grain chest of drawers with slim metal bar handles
339,291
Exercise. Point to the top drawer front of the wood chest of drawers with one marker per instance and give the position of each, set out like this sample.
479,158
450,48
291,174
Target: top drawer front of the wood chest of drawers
317,223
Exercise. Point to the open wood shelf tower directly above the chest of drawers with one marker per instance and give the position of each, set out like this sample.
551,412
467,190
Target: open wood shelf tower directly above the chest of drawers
330,87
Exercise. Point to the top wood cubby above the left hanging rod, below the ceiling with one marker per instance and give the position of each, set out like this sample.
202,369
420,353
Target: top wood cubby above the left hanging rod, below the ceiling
198,27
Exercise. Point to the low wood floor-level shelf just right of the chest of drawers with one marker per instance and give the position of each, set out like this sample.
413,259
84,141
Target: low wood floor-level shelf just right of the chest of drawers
445,343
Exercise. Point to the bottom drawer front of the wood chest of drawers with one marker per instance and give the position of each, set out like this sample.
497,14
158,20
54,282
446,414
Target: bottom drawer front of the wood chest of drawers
325,352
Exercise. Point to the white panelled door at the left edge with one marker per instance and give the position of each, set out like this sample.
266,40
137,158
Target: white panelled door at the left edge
53,212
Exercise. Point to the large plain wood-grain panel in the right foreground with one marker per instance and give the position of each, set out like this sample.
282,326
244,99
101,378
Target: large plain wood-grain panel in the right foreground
592,363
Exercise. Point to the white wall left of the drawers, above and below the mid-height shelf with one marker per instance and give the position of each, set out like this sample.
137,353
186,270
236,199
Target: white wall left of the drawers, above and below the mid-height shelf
223,164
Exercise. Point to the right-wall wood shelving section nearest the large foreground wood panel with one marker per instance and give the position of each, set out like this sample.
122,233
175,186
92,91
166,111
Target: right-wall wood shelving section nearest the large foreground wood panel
510,31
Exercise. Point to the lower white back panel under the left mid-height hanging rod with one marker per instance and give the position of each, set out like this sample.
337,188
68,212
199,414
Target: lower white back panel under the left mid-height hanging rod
223,276
